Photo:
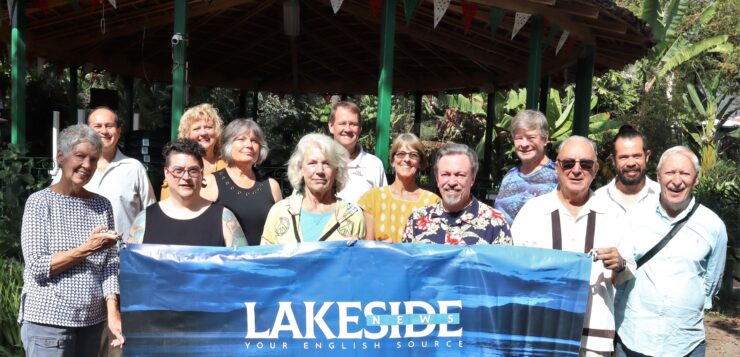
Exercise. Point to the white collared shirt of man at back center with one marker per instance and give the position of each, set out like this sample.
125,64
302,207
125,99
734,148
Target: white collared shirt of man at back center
365,172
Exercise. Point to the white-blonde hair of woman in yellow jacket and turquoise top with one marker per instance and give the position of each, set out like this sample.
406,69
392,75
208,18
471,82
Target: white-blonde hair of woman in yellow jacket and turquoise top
336,154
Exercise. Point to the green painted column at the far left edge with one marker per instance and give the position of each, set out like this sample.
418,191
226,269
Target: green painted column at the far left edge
18,75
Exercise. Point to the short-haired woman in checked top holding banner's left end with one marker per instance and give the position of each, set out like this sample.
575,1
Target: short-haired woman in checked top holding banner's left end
70,282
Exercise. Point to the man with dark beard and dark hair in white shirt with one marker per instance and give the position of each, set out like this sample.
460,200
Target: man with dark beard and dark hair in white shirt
630,187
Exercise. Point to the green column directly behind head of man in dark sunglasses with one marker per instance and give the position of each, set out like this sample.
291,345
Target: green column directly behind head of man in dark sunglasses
584,81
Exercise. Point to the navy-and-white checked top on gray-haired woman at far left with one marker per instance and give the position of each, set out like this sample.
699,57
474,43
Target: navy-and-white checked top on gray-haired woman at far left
76,297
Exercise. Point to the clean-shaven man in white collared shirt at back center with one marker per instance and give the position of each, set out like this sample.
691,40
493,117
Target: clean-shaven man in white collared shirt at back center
365,170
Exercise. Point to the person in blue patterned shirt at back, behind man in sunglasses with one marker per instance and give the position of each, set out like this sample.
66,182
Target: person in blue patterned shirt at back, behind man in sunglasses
535,175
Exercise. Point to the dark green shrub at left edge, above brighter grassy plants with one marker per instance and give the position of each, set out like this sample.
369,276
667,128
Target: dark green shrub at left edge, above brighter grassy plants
18,184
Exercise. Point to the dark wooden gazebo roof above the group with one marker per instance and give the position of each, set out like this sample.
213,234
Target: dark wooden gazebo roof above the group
241,43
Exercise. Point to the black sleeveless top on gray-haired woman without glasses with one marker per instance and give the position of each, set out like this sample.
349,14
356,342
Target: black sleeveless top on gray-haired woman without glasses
250,206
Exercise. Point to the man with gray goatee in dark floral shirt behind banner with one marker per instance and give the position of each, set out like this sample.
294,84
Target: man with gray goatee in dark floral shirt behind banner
460,219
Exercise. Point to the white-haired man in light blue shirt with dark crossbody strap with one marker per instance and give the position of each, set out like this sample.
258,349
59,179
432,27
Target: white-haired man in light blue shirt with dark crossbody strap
660,312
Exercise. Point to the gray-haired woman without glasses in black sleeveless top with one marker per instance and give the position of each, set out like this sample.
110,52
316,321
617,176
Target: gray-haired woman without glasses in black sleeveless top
238,187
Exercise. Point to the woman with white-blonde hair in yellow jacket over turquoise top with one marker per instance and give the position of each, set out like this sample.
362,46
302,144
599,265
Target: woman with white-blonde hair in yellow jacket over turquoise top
317,170
